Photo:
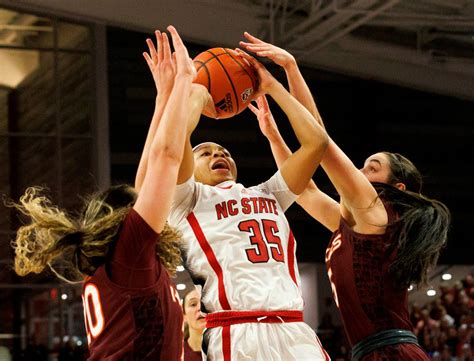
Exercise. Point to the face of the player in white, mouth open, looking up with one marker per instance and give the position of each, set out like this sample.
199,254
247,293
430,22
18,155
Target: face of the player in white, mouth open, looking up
213,164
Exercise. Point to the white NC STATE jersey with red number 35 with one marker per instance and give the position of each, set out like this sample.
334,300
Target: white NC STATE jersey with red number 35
238,244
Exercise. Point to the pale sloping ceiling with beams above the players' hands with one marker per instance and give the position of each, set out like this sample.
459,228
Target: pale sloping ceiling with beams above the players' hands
422,44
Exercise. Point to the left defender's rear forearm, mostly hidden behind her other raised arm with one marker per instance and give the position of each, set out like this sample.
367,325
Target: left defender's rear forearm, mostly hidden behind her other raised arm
160,104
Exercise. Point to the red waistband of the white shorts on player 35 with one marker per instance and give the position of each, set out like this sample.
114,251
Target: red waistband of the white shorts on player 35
227,318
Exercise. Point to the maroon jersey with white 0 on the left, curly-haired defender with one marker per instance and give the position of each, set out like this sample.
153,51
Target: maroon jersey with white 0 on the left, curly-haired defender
131,308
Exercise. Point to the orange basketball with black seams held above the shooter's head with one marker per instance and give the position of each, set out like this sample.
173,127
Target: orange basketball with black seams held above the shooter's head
230,80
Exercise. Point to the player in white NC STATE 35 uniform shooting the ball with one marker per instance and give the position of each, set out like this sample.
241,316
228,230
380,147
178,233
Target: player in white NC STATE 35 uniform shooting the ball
239,247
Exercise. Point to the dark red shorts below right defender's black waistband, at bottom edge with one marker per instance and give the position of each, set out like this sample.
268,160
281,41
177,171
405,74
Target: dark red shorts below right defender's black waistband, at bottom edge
402,351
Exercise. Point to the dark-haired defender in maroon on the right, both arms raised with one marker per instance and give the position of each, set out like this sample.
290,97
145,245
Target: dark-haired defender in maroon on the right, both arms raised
386,234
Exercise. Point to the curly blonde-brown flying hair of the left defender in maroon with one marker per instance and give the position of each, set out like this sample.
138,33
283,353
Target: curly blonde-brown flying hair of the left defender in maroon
74,247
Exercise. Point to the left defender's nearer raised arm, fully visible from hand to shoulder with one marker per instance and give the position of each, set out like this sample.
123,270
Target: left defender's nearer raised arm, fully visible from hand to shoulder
166,148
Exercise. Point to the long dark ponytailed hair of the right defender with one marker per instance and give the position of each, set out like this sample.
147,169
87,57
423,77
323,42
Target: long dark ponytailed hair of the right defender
421,228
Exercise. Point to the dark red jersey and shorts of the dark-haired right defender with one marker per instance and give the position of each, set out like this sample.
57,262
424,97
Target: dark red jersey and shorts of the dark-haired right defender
364,291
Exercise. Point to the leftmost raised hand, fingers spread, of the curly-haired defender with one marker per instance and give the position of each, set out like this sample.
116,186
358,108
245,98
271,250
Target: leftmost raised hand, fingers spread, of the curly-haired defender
160,63
